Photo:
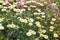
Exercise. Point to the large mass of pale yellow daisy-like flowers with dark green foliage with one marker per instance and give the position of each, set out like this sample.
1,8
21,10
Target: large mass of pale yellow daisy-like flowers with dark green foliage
35,21
